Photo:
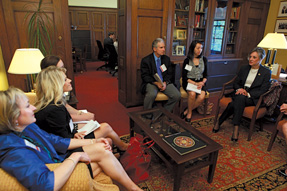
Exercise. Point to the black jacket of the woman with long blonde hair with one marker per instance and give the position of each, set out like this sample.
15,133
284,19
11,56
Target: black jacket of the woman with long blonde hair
55,119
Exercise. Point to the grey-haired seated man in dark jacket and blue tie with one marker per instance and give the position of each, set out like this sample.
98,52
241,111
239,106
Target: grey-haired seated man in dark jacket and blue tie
158,63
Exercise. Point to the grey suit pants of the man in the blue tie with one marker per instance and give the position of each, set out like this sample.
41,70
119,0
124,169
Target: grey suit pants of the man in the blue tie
171,92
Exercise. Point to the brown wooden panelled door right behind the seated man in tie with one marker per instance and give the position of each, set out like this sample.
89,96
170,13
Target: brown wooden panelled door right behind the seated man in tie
140,22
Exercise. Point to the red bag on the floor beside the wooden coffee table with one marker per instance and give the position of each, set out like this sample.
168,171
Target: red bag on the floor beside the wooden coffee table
136,159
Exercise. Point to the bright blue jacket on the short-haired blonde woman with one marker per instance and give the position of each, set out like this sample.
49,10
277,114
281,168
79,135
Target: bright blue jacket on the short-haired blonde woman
26,163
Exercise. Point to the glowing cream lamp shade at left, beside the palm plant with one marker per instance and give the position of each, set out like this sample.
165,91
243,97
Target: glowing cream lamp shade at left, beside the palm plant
26,61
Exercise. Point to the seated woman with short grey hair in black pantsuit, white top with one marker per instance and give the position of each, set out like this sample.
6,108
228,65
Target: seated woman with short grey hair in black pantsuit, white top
252,81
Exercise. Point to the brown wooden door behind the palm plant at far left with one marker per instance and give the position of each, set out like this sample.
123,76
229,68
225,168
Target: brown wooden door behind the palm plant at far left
14,34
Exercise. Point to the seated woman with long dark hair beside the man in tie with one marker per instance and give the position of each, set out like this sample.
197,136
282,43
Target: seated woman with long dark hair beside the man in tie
194,72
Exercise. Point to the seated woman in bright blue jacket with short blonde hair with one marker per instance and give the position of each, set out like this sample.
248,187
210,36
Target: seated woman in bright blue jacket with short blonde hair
25,149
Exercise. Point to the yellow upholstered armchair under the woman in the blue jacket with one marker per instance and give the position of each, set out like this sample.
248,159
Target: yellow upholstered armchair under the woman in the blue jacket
79,180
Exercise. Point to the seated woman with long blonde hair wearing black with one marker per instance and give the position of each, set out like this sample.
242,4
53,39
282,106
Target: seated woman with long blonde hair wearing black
51,113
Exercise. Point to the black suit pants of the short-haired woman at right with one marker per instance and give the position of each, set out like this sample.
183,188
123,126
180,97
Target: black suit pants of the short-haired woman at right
236,107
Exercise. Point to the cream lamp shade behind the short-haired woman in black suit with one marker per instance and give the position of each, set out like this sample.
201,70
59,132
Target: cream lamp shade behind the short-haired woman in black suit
273,40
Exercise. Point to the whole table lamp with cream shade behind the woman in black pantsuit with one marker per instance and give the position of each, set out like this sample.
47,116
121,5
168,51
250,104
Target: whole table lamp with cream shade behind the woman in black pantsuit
273,41
